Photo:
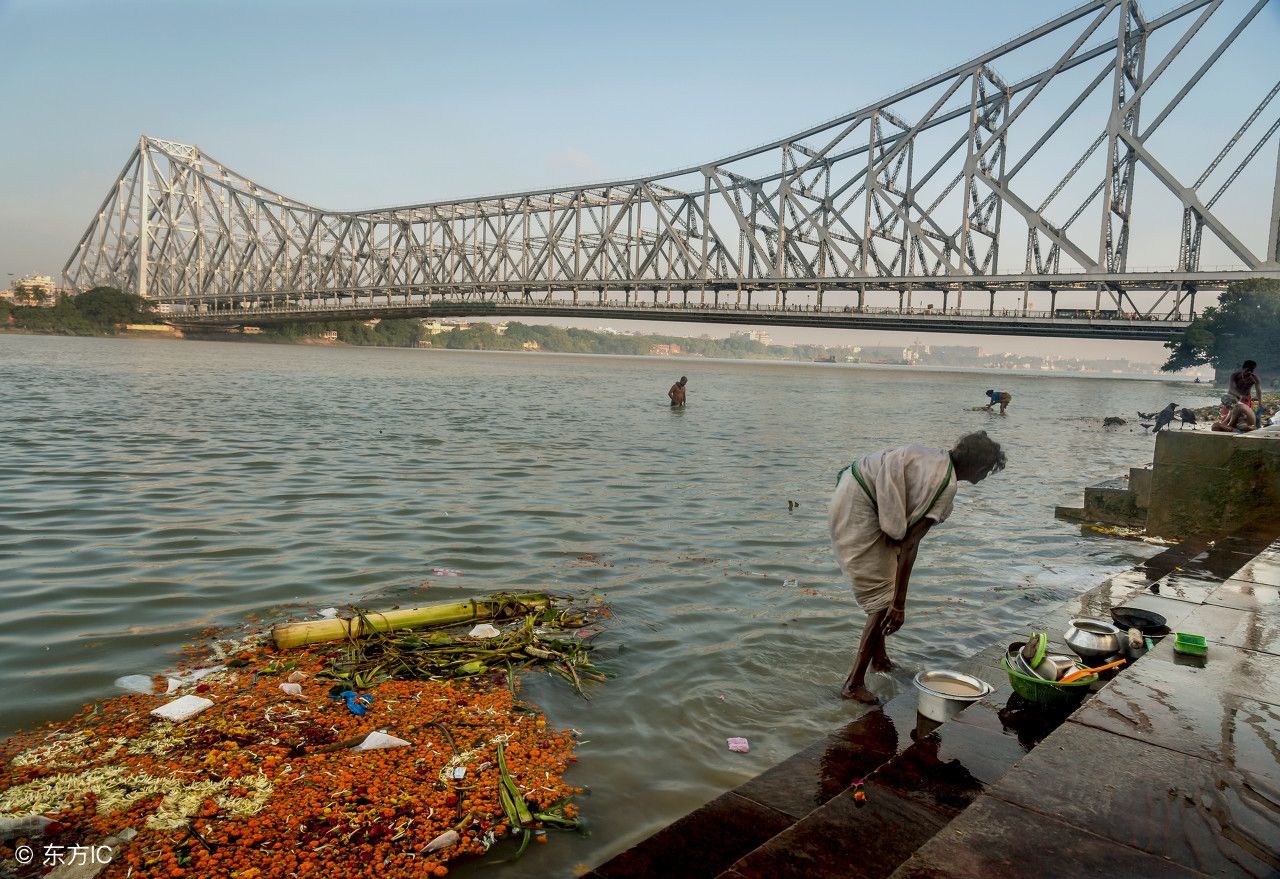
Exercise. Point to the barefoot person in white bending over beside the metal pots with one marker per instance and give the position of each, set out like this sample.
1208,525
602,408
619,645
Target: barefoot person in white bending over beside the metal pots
885,503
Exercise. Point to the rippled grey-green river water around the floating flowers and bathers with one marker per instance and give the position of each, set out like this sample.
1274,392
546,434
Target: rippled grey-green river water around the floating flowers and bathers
153,488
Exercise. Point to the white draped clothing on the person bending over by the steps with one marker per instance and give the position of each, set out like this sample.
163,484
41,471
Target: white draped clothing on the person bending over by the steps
909,484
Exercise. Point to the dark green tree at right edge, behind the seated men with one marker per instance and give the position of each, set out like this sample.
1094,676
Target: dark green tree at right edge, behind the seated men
1244,326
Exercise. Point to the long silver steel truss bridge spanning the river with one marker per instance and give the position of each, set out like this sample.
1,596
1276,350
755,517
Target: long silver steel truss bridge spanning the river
1000,196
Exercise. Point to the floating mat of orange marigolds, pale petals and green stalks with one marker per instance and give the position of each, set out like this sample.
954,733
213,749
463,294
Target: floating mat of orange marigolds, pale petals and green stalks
262,784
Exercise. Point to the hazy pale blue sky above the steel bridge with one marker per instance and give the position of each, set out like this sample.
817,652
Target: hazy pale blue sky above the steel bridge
358,106
